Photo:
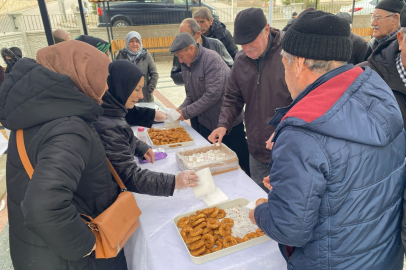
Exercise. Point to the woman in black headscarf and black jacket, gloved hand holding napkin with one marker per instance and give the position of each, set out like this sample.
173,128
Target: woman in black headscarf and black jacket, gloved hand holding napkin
125,84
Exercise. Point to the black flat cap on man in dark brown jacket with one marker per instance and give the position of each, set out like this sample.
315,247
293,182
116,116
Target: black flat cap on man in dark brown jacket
248,24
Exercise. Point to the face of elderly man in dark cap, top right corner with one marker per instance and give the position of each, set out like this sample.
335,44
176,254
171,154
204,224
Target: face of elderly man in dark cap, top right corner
384,23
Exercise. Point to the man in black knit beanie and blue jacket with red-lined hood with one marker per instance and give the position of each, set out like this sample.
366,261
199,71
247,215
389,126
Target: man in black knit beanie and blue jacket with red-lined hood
338,161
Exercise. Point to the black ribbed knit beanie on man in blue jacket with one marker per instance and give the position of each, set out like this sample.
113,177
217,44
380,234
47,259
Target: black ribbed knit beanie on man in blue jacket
319,35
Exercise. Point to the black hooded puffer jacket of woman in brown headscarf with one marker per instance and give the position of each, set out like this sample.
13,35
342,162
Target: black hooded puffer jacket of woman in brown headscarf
71,175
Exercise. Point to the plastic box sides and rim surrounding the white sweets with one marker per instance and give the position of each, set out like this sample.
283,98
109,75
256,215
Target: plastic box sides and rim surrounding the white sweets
216,167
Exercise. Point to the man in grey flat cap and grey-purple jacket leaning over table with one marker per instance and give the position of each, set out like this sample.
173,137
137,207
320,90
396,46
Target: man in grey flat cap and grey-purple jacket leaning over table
205,75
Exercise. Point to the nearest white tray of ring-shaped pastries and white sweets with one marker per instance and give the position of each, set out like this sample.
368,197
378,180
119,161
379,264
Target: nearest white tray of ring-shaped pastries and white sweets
218,231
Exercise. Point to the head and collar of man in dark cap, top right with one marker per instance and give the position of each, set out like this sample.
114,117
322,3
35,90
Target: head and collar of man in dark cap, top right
386,23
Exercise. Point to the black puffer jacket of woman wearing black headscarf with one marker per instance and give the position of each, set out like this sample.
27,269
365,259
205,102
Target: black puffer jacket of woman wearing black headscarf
121,145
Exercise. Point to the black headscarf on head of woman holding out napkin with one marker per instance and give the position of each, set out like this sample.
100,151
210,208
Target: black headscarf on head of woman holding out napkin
123,78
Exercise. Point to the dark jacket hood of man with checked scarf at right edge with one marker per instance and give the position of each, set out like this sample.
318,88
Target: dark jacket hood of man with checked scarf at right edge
383,60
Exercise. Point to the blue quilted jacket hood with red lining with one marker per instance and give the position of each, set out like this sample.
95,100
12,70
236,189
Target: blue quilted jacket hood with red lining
356,105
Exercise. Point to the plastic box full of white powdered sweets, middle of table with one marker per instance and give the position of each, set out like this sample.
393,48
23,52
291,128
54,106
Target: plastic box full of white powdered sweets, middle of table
219,159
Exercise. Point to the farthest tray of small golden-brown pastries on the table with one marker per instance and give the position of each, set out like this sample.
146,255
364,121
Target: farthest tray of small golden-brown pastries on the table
169,137
